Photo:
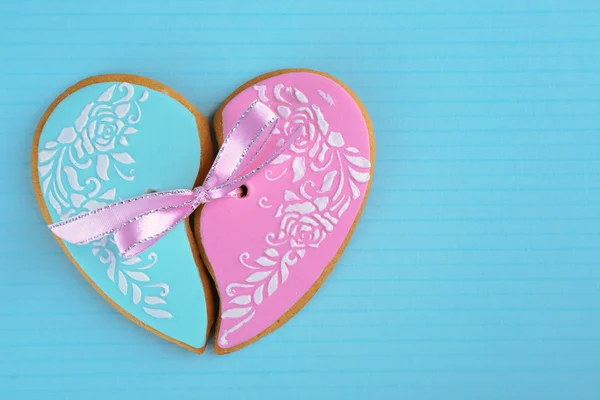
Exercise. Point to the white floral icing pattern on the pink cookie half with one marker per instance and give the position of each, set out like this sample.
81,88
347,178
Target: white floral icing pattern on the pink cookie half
307,215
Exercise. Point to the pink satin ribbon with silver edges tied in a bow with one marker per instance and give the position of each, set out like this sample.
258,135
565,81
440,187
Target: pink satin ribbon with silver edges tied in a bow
139,222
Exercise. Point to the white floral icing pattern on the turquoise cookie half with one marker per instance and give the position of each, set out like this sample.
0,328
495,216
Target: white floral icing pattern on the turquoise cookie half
97,141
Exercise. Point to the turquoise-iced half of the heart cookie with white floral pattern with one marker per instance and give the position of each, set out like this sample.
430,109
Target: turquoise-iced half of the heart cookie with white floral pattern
114,137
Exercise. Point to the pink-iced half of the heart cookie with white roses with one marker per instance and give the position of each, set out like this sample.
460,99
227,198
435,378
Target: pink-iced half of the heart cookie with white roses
270,251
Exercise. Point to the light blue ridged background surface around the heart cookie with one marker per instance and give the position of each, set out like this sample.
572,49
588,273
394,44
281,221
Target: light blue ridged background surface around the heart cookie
474,272
